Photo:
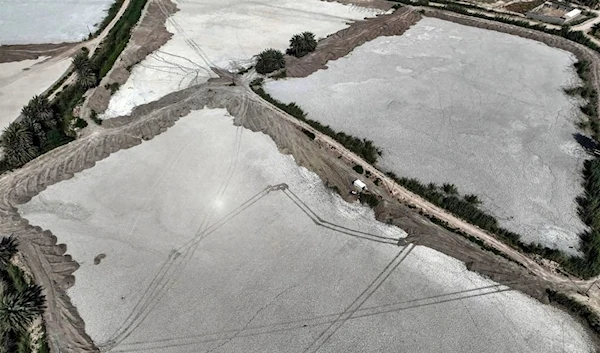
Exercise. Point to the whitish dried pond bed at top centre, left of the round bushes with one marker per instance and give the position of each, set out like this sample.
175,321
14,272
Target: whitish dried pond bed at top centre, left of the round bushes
225,34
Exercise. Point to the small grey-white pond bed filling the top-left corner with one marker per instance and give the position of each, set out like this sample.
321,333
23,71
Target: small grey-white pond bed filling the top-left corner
63,21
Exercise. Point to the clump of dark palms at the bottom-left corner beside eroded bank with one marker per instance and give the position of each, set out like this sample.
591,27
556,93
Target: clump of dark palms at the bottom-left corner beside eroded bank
21,302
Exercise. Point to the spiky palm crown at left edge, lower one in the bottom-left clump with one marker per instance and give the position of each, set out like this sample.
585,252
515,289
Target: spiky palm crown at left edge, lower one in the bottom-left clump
19,309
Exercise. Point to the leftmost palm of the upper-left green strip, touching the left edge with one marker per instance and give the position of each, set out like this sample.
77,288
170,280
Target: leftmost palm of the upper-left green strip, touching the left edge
17,144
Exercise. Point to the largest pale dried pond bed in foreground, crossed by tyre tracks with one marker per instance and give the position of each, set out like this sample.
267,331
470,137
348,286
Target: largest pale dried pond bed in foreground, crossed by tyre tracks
202,255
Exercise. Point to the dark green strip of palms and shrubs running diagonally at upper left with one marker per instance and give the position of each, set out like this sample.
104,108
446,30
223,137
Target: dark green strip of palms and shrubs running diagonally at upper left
47,125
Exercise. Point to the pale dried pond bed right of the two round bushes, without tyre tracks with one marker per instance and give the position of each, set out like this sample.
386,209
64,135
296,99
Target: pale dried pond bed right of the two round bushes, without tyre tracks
477,108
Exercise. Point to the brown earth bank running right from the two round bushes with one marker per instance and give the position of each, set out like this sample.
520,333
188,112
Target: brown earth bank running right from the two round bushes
343,42
